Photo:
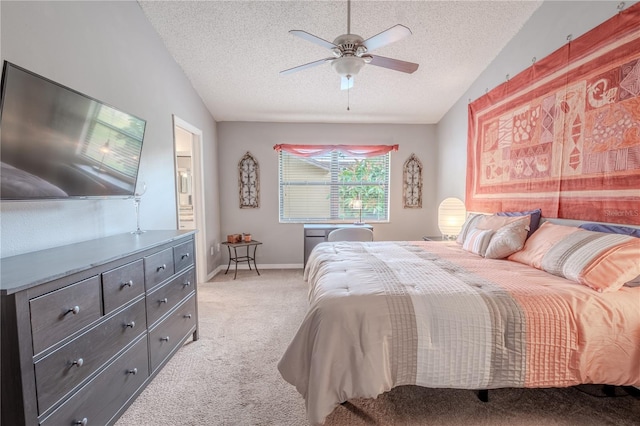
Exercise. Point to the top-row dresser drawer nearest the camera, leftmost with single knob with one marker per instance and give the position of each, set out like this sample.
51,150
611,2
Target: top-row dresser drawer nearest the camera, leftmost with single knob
61,313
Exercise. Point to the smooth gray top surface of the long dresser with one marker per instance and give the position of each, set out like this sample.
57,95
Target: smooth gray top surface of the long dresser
27,270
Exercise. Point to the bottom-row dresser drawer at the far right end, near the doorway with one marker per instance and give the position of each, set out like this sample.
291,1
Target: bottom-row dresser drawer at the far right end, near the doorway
167,335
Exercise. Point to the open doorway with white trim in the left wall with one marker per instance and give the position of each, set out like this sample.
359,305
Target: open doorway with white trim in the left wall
187,143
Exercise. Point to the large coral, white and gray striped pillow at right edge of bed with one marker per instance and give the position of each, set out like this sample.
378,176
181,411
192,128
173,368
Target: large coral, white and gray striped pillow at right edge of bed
604,262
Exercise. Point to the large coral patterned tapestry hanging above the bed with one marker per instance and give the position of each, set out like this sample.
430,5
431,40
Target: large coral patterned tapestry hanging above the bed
564,135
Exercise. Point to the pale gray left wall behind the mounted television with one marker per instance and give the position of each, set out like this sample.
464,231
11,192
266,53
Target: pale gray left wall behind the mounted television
109,51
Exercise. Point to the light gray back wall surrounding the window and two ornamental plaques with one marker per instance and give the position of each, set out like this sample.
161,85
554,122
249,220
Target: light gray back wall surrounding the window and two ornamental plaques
283,243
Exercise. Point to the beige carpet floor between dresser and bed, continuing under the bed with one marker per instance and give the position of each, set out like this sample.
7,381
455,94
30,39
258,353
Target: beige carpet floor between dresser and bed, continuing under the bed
229,376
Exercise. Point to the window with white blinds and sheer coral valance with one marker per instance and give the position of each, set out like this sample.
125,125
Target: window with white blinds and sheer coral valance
332,184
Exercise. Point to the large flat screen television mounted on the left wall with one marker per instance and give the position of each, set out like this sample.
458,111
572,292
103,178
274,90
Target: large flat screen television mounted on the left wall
56,143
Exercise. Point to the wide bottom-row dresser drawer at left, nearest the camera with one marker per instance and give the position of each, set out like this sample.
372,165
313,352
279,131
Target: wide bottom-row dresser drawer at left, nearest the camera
103,396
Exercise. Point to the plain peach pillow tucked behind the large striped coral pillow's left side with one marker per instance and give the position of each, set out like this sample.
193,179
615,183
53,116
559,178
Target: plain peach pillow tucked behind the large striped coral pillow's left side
537,245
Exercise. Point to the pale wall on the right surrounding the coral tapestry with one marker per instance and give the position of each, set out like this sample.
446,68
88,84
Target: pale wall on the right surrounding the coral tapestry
545,32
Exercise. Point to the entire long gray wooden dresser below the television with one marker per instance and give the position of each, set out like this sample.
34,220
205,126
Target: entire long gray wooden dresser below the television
86,326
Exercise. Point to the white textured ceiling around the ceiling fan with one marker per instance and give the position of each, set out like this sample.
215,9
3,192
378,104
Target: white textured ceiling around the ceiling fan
233,51
